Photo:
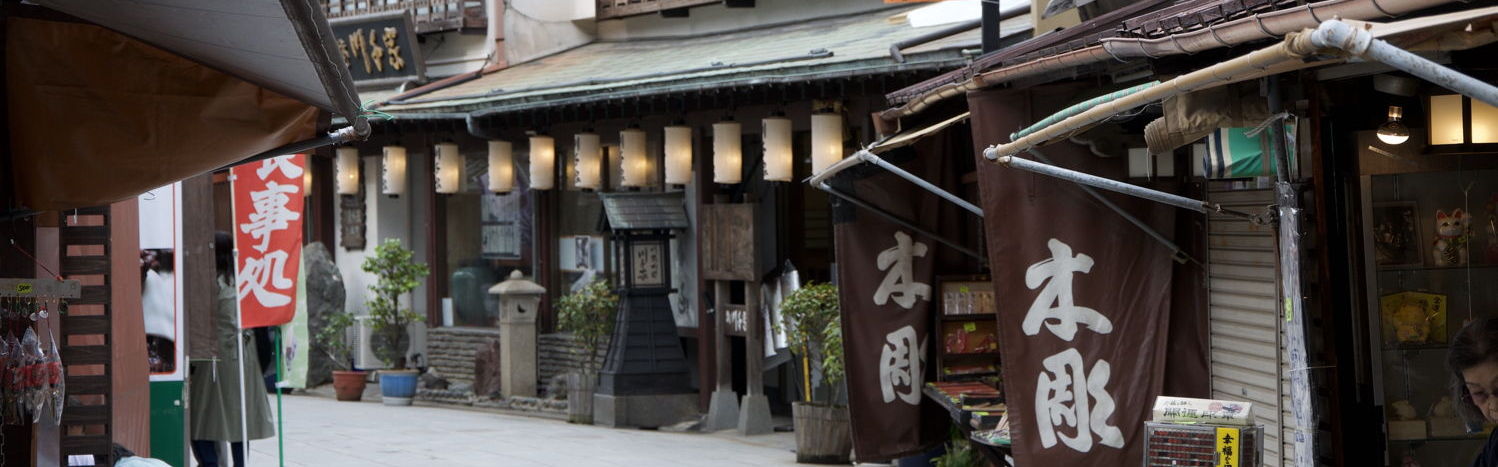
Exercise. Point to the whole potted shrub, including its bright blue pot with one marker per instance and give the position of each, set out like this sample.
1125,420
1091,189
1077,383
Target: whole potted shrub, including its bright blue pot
396,275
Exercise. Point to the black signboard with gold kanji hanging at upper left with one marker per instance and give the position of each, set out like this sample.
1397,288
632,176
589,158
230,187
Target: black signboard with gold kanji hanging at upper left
380,49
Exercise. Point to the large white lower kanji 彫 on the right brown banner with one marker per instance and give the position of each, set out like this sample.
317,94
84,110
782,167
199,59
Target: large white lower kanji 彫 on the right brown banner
1069,396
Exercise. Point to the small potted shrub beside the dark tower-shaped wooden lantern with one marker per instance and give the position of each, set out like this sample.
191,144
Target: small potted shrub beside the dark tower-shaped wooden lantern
589,315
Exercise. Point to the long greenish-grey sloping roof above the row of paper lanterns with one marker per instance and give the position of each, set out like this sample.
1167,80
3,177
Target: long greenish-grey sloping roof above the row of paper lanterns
853,44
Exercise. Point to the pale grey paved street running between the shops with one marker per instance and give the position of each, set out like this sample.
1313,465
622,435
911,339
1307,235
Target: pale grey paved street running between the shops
326,433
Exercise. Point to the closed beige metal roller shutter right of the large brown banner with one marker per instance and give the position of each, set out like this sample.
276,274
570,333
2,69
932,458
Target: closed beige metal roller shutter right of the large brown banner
1246,341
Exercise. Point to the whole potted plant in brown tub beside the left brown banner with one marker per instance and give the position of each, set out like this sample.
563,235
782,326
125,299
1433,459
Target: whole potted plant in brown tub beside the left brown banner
810,315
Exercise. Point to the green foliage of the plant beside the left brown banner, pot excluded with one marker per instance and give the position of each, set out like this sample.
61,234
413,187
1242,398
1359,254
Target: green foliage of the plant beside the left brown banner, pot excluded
811,321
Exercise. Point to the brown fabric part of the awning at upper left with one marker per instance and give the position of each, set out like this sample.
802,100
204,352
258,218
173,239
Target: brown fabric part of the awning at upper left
98,117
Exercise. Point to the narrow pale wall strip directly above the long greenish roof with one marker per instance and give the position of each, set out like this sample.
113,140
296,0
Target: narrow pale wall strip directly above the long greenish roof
717,19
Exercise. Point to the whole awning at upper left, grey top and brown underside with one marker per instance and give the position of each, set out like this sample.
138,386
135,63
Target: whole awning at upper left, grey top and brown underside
98,116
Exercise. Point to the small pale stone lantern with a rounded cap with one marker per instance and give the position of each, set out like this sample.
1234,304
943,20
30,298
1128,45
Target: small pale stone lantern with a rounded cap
519,300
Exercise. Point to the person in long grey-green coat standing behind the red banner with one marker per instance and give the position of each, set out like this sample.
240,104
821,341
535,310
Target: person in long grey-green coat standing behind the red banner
216,384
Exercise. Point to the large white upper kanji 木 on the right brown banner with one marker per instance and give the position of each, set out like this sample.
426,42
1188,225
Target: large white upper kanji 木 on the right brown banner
1054,308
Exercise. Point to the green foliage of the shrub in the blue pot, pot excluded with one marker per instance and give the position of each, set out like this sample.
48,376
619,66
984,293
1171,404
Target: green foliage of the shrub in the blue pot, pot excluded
398,275
